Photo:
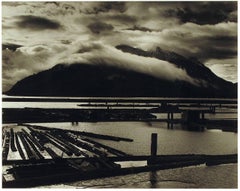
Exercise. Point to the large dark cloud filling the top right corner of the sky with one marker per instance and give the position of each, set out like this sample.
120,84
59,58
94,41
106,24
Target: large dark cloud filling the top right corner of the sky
205,12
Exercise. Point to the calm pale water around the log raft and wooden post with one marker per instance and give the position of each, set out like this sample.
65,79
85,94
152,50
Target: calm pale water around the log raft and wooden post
170,141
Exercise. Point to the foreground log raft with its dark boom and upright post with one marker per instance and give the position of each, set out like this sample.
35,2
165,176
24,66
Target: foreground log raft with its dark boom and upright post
102,162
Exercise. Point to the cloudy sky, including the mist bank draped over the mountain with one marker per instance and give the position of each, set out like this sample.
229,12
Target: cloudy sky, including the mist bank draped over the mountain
38,35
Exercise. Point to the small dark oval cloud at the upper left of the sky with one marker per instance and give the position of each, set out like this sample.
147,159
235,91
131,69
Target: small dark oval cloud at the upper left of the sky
37,23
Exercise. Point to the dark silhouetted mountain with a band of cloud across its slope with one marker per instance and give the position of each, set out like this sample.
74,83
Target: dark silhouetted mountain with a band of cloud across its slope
105,80
